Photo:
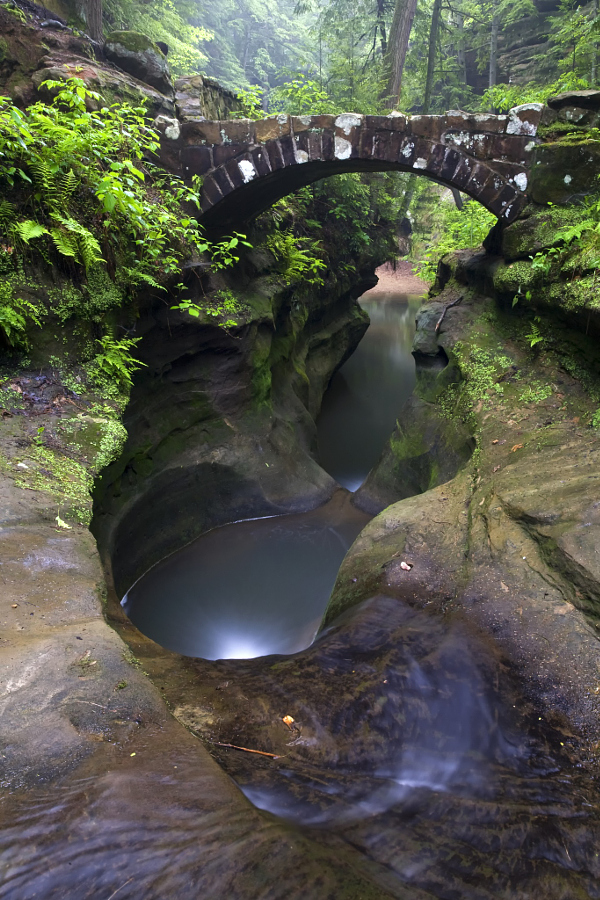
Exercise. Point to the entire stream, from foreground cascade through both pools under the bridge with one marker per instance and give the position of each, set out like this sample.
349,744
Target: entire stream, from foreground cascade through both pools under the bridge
417,769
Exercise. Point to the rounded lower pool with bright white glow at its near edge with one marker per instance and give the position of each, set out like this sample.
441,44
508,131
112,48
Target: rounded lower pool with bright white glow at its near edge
247,589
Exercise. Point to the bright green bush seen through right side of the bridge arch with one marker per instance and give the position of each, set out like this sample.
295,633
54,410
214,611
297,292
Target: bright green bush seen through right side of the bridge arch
456,229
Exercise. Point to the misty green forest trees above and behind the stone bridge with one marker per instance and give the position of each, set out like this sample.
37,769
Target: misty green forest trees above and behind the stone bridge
374,55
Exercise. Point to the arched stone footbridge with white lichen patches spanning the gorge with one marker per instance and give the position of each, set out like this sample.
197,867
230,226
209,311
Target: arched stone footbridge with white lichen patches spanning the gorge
247,165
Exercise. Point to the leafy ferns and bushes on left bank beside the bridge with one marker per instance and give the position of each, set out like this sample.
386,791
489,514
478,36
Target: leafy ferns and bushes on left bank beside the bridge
94,197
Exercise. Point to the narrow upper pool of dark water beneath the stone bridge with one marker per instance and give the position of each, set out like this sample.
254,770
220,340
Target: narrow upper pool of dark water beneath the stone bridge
365,397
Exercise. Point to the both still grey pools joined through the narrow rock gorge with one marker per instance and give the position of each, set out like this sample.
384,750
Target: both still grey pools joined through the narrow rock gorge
259,587
